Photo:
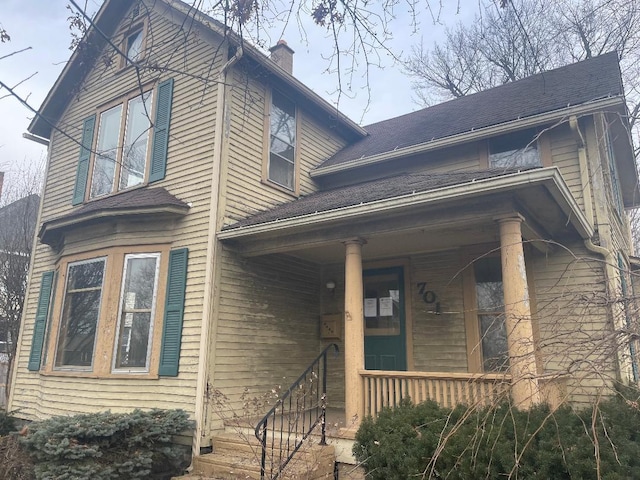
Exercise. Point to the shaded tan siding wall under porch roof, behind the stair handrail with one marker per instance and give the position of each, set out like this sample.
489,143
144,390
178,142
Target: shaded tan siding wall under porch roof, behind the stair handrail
267,325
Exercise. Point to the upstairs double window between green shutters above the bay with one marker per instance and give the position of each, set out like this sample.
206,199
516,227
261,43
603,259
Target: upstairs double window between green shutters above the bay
123,142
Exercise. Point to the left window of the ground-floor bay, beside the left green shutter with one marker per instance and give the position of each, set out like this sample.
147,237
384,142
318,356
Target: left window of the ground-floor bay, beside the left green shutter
80,314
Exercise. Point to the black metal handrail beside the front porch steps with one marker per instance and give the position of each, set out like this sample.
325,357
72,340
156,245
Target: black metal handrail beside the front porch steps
296,414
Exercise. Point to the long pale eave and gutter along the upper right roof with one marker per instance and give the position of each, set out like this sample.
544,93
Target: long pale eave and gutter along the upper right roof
544,118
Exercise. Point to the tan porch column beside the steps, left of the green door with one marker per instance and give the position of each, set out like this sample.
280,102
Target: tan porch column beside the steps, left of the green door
353,333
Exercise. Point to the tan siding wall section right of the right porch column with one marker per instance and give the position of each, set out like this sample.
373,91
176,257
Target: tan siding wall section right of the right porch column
573,319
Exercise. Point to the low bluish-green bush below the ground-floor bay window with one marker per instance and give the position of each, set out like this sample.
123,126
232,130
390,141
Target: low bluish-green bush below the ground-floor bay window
107,446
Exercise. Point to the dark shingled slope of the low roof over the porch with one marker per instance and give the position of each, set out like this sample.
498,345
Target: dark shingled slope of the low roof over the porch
366,192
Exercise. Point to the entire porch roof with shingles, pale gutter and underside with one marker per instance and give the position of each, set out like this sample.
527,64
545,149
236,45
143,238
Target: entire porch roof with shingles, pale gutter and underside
413,201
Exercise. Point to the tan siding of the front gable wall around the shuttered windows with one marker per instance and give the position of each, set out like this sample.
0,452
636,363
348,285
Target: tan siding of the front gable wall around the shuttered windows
188,178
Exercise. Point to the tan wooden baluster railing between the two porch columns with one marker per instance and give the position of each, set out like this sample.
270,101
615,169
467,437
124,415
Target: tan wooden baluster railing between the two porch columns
386,388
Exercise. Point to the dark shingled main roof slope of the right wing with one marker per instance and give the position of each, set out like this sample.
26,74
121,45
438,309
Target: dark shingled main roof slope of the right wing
574,84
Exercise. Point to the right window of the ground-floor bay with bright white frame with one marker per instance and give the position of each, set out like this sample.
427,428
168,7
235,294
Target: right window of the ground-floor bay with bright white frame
138,297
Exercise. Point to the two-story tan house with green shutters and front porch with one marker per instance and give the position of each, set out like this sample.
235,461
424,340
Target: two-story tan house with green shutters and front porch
210,224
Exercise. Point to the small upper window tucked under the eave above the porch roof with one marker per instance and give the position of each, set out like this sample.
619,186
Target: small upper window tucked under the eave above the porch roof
514,150
